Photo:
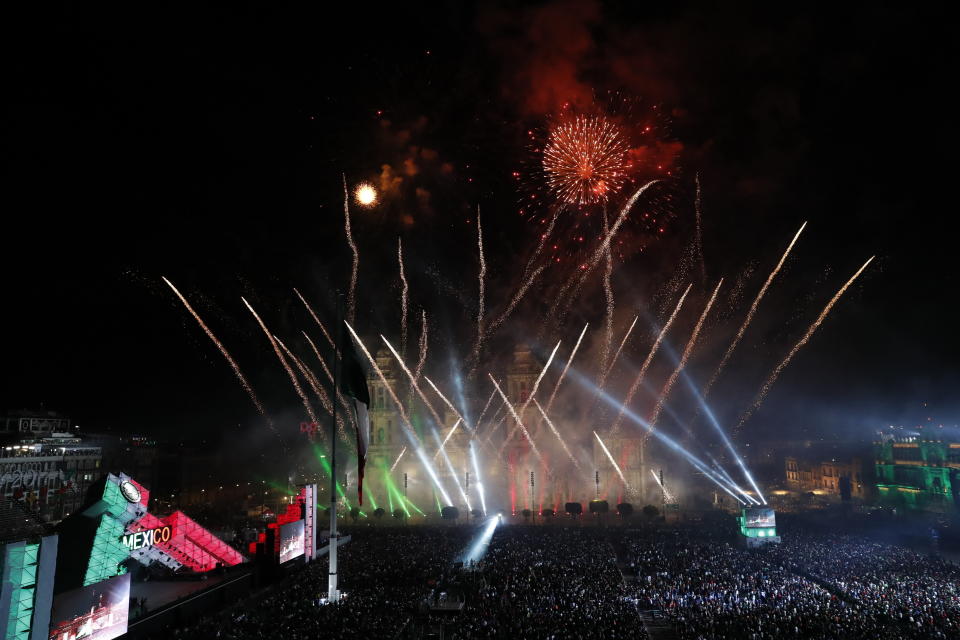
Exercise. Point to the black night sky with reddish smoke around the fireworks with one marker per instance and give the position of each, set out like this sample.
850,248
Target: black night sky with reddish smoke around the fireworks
207,145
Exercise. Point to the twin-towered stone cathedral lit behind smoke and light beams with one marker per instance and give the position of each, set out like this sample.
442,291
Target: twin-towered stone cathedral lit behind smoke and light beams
515,474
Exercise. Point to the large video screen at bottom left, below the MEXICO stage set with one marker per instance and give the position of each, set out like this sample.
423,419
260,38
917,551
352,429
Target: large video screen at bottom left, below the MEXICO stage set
96,612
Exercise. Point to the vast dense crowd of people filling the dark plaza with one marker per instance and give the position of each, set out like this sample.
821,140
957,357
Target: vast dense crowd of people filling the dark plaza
583,582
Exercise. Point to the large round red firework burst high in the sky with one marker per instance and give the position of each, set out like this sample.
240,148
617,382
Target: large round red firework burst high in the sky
585,160
